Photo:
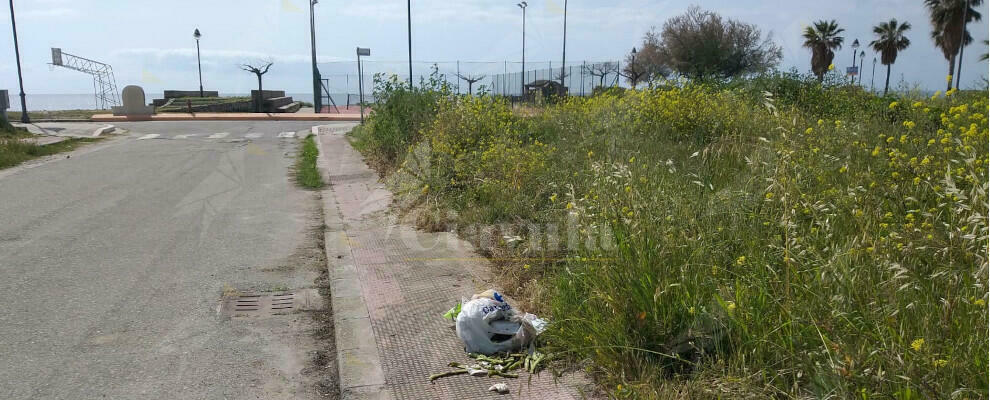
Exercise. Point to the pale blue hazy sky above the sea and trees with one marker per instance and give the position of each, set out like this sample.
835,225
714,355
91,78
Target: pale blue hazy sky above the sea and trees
150,43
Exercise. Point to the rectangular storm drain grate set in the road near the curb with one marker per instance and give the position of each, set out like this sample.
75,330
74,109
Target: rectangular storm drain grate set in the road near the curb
268,304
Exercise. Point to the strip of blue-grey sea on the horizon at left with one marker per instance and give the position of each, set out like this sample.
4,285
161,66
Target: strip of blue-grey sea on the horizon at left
54,102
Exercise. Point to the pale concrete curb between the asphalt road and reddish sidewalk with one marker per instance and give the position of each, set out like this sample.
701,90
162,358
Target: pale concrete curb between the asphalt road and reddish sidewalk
360,373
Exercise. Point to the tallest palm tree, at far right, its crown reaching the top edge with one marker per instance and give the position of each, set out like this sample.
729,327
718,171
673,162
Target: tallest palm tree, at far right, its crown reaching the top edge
948,27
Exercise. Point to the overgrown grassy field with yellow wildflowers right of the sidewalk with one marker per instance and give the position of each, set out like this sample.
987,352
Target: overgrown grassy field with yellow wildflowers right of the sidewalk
771,237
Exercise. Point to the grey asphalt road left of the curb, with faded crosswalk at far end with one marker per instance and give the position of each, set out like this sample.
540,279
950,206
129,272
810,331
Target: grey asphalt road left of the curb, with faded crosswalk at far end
113,263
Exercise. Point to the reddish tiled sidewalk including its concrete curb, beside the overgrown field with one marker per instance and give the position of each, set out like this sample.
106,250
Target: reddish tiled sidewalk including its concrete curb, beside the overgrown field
391,284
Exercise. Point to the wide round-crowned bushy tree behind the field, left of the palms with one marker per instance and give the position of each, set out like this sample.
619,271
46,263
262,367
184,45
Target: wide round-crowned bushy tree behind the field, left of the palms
700,43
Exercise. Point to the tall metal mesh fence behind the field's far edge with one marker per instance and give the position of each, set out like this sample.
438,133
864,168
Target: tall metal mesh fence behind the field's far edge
497,78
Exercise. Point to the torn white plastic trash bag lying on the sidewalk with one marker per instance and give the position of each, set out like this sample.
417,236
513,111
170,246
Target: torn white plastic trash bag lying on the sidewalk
487,324
